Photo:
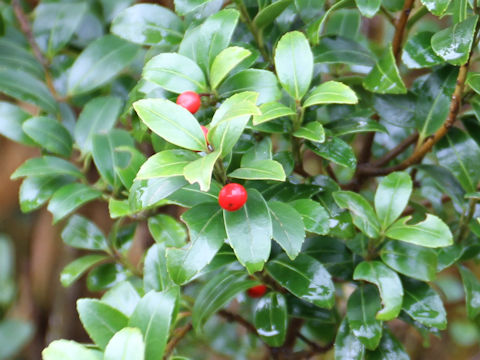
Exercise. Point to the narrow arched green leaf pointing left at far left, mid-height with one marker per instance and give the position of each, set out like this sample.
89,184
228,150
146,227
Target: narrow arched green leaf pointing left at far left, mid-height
46,165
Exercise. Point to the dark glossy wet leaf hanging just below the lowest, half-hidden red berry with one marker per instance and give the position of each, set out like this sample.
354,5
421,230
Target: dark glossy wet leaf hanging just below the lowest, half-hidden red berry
271,319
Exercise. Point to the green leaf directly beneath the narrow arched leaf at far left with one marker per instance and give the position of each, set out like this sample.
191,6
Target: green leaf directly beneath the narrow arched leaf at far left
37,190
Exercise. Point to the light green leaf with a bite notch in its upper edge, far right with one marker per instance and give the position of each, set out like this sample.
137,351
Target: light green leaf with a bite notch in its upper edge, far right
432,232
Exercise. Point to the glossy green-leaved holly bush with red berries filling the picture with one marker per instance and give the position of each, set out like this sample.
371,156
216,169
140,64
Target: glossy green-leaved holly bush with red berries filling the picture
329,174
